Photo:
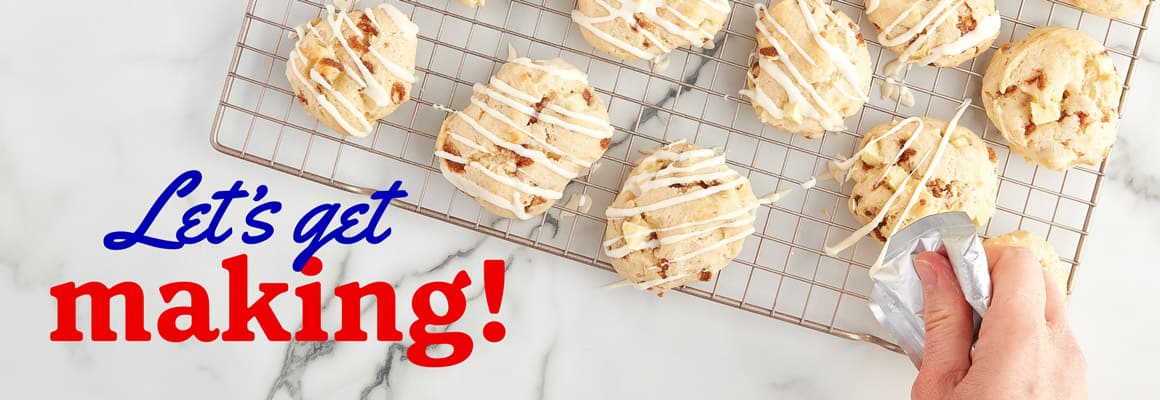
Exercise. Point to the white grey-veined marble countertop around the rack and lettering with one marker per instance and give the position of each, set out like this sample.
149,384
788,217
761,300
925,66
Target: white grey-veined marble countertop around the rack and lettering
103,104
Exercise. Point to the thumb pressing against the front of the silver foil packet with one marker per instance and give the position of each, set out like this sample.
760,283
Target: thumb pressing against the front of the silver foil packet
949,329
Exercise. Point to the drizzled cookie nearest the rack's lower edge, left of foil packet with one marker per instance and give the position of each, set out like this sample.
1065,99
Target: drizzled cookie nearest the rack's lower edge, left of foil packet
681,217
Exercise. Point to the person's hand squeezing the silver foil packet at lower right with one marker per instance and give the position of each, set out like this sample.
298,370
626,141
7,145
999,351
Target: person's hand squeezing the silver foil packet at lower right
1026,348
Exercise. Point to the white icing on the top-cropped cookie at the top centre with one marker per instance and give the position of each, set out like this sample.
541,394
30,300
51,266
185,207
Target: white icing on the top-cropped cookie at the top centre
628,12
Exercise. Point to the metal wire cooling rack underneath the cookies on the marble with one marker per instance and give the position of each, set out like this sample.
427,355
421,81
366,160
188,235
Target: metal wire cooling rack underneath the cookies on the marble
782,272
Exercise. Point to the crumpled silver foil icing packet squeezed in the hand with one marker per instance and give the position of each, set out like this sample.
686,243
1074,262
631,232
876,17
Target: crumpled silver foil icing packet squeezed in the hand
897,301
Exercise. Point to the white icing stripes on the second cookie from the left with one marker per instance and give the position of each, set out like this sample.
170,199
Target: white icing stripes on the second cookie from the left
565,165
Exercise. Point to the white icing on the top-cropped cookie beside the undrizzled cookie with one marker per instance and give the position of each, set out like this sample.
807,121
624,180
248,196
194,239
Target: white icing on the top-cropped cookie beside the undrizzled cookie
919,35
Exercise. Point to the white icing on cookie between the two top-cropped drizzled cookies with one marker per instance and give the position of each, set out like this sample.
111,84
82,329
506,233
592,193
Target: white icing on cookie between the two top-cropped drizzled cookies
791,78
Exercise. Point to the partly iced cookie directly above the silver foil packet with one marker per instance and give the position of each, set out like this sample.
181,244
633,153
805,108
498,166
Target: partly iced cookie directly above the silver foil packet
917,168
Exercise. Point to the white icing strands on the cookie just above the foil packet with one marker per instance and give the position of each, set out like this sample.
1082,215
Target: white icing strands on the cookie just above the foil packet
934,157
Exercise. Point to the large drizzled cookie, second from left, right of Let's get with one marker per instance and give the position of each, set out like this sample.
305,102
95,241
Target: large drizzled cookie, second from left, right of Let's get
525,136
